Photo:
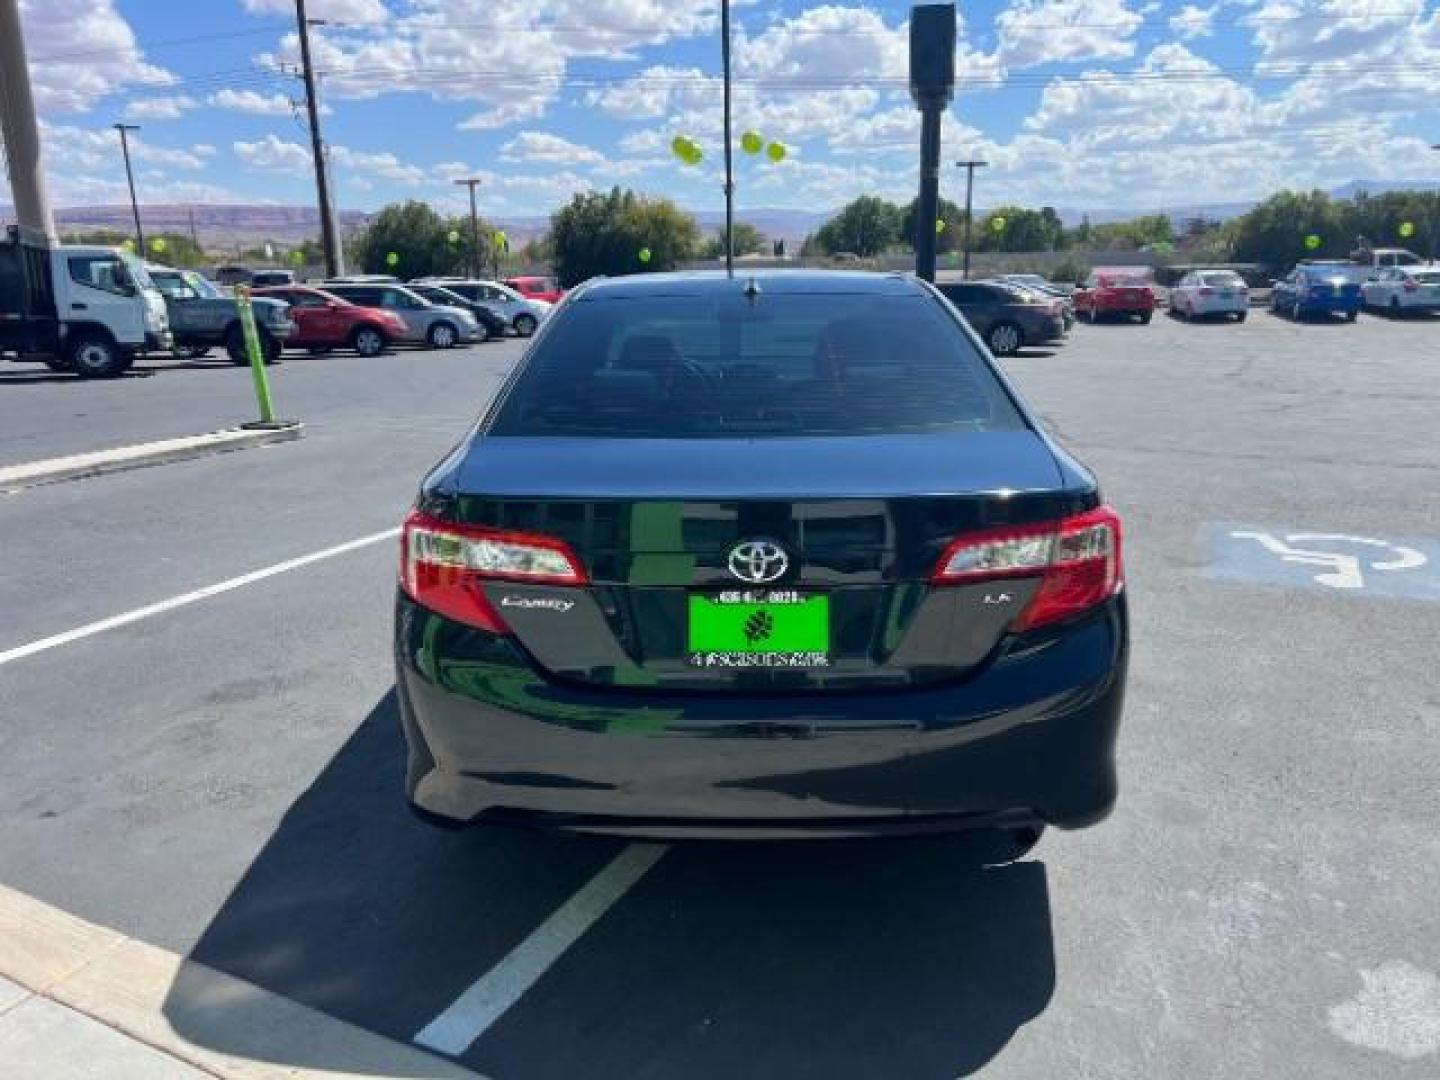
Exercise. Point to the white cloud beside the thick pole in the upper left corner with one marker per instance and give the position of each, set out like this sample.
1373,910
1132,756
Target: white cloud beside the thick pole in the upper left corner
83,51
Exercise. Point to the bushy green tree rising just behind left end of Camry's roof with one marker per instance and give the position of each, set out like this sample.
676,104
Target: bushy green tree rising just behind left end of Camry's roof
607,234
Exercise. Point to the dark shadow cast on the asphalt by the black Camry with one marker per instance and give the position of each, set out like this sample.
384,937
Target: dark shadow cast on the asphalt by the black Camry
842,960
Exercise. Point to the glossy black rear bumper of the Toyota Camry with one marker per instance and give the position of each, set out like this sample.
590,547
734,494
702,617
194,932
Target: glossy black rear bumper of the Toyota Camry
1032,739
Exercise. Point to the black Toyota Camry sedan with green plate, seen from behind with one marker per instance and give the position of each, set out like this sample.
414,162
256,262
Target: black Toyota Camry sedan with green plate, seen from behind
775,555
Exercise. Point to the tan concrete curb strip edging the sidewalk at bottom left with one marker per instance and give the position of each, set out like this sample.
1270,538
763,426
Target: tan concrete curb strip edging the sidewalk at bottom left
210,1020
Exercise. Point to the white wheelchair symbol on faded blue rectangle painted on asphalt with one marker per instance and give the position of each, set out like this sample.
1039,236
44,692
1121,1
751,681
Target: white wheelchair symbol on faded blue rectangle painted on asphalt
1399,568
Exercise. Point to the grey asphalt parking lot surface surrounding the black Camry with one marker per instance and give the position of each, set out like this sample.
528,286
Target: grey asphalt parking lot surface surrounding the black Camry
222,780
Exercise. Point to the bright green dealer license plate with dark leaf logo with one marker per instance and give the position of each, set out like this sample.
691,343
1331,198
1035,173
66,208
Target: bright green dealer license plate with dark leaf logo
760,629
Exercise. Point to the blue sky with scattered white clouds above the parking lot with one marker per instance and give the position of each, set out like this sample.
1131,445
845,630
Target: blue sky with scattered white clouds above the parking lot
1075,103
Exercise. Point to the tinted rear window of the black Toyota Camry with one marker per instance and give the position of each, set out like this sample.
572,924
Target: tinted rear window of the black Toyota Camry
783,365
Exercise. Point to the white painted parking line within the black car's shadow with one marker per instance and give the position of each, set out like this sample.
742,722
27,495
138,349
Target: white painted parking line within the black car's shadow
503,986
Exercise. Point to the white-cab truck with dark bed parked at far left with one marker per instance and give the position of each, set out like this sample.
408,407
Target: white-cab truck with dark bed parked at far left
78,309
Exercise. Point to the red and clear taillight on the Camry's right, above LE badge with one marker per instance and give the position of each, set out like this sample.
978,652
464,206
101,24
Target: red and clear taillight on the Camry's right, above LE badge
1078,562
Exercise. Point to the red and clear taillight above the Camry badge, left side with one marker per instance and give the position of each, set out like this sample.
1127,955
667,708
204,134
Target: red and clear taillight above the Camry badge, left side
444,567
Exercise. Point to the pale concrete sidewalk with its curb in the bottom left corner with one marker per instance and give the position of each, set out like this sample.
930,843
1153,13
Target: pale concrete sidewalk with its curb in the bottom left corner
81,1002
